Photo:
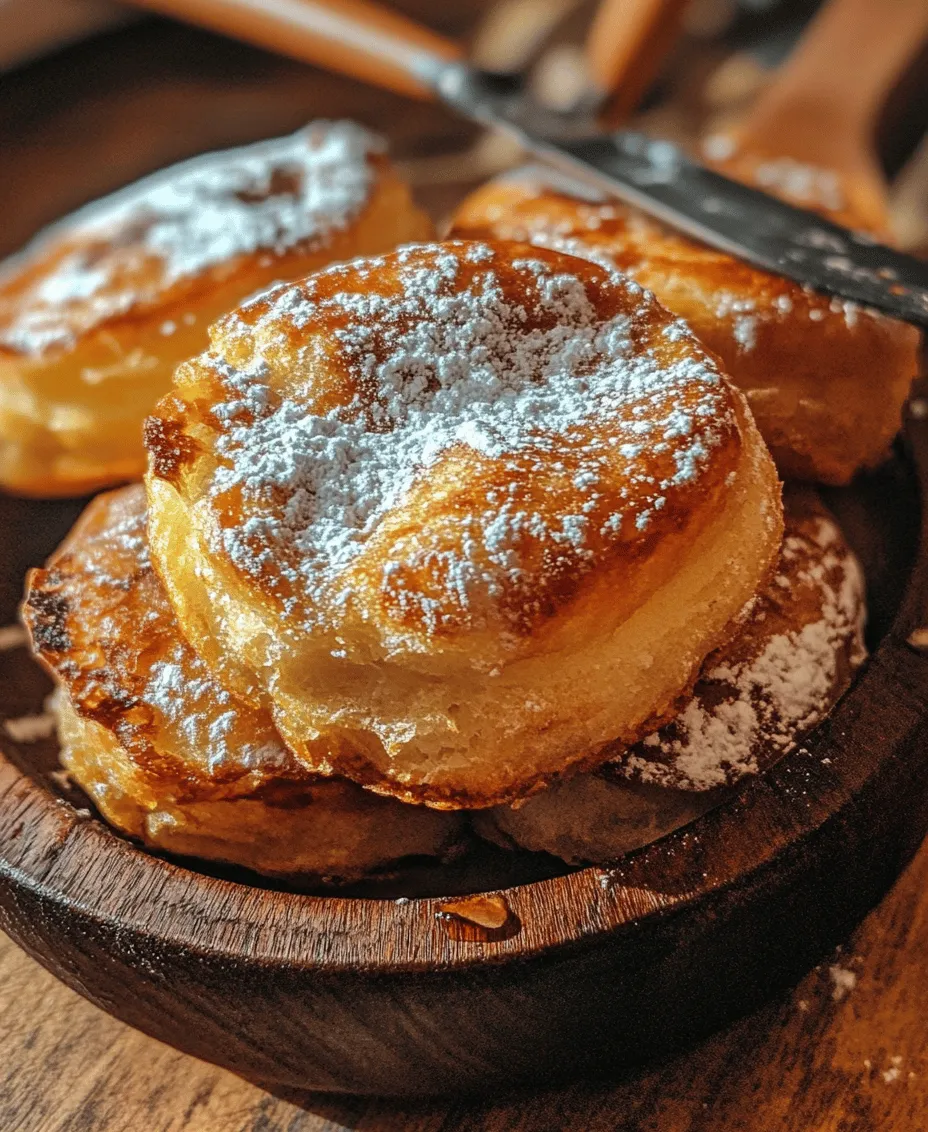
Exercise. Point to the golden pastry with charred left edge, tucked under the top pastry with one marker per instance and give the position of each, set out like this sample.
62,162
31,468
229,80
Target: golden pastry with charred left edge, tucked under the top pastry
170,757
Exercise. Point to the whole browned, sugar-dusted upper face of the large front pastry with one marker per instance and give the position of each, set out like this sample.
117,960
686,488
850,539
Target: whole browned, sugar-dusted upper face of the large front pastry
445,441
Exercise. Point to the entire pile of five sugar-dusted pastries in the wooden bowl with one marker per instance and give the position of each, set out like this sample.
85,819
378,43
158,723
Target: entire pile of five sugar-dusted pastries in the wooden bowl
462,539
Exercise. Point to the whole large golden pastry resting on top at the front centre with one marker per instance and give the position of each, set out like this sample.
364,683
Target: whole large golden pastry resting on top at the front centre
465,513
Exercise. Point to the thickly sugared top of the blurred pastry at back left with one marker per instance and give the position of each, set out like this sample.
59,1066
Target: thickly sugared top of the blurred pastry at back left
276,195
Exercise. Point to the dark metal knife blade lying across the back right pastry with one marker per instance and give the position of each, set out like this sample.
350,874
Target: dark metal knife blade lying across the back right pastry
660,179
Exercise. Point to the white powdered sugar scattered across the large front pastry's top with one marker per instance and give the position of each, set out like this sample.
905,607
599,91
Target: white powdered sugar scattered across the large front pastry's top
452,362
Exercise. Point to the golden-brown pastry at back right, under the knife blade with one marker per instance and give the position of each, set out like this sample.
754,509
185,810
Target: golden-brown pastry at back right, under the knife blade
826,380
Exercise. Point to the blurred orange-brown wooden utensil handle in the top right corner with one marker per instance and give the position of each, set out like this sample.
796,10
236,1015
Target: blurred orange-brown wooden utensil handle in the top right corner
838,79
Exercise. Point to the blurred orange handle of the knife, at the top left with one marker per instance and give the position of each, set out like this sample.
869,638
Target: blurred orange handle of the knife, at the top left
357,38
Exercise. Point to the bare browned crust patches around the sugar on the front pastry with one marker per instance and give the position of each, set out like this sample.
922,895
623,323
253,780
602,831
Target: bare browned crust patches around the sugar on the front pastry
183,435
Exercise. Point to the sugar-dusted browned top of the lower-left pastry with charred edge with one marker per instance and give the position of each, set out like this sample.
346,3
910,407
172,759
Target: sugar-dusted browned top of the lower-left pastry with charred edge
168,699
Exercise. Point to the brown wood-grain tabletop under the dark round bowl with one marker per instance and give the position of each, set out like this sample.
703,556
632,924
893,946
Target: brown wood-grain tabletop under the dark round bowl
805,1061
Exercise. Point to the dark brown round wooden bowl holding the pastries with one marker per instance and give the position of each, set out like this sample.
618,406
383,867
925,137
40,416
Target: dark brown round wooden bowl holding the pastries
586,972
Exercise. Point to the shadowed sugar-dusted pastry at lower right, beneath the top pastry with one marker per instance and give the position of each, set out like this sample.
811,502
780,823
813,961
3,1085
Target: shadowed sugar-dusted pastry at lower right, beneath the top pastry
752,705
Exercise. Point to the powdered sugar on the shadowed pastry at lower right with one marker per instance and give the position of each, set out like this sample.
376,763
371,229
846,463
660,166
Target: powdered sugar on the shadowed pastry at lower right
763,701
